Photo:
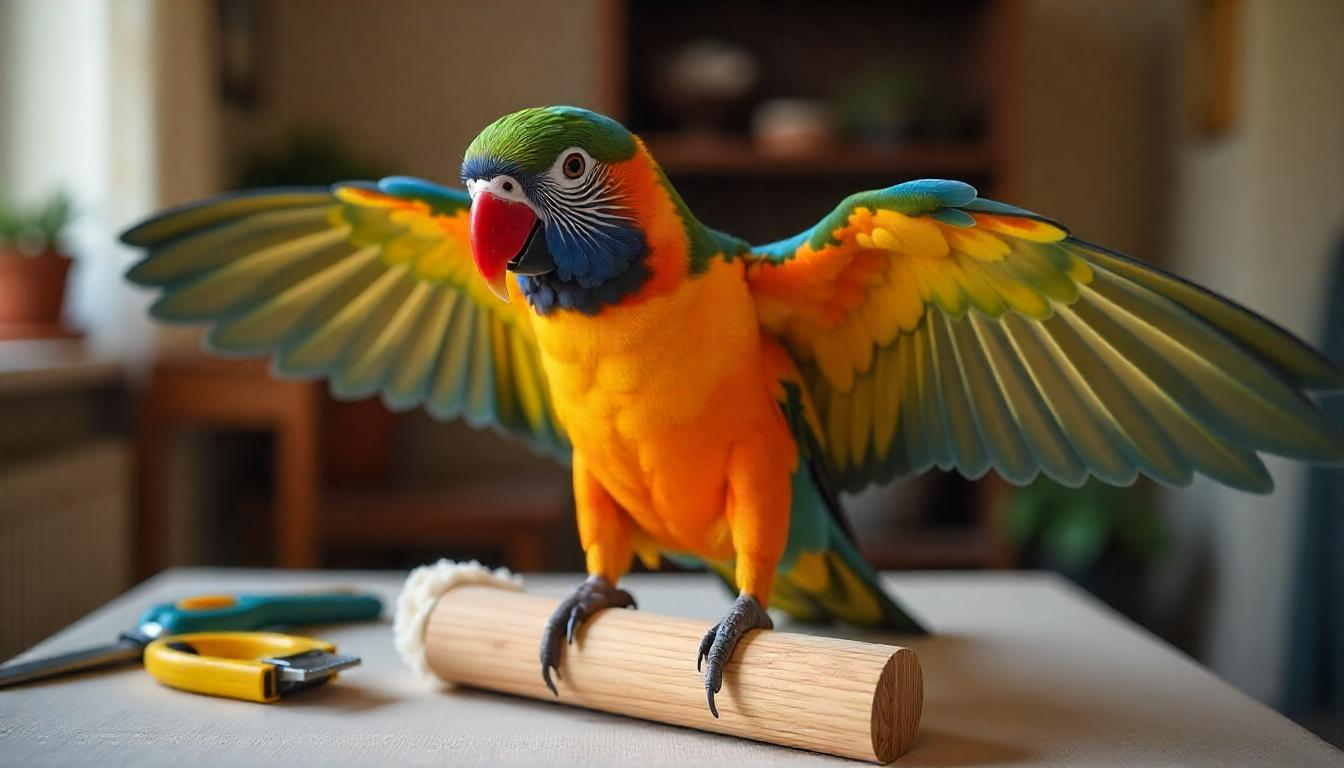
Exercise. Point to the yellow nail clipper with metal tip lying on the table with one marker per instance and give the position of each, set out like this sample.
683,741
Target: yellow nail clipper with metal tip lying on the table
251,666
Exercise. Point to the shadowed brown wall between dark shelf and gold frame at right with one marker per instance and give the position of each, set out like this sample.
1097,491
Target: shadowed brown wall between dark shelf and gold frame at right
1095,115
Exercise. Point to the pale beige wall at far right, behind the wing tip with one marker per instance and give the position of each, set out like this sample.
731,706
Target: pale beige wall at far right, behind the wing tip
1259,215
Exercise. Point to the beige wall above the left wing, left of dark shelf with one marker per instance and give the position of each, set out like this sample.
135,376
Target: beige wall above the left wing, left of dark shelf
409,84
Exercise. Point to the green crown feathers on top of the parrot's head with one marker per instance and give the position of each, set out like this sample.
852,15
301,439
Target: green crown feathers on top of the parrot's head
532,139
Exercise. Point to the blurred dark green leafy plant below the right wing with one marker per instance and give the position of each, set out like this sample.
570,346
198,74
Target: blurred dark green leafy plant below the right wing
1099,536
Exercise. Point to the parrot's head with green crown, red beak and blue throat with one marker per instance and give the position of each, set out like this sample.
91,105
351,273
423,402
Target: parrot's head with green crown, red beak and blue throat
553,202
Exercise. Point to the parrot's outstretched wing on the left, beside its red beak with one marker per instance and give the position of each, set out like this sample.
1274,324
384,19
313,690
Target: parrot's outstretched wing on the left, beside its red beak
369,286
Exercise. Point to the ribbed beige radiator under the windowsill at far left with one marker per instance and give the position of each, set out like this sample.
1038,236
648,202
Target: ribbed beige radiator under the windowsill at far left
65,539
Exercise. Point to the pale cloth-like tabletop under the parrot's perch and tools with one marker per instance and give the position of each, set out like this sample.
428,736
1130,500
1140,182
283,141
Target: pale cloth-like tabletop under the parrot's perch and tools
1026,670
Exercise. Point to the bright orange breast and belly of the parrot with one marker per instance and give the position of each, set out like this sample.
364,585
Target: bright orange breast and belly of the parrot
657,393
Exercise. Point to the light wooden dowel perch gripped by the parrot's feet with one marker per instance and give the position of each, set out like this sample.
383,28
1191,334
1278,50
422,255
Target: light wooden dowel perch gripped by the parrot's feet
841,697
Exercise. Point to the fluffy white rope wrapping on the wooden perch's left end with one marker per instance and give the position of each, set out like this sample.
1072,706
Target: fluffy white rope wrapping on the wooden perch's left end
423,591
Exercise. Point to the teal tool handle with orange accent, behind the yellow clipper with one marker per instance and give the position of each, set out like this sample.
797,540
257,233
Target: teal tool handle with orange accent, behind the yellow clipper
244,613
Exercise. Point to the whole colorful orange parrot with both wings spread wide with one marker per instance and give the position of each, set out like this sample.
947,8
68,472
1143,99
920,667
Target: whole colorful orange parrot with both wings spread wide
712,396
